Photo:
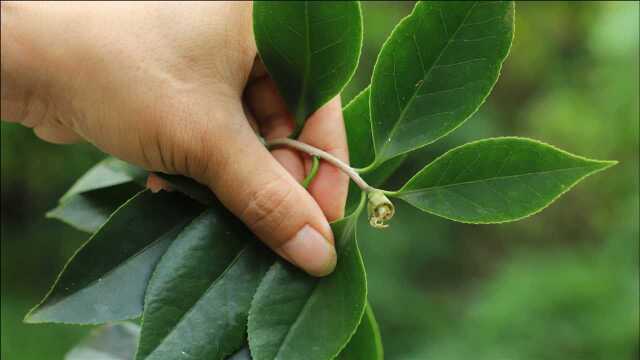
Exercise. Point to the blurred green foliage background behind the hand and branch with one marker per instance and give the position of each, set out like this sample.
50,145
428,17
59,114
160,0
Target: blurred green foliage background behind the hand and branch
560,285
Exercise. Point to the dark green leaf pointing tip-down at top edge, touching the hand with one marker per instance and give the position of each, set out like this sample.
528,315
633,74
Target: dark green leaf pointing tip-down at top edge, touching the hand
310,49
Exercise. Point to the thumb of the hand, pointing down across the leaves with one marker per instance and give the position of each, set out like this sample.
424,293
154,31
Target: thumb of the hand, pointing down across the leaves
251,183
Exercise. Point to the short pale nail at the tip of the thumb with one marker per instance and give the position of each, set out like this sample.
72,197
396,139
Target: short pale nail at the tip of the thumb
311,251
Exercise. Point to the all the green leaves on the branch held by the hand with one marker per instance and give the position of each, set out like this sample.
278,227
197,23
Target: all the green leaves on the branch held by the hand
205,288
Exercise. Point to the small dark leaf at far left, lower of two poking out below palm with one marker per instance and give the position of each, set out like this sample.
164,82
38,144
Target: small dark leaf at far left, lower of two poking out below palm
87,211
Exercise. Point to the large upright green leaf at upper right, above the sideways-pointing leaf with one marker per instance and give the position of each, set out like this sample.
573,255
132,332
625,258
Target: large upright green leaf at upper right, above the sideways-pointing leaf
435,70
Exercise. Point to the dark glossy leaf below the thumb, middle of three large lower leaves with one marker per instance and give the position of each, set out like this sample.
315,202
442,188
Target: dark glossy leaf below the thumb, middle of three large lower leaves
198,299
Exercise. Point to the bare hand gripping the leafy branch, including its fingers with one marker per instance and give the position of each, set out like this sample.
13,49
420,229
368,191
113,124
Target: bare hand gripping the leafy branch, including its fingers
177,88
